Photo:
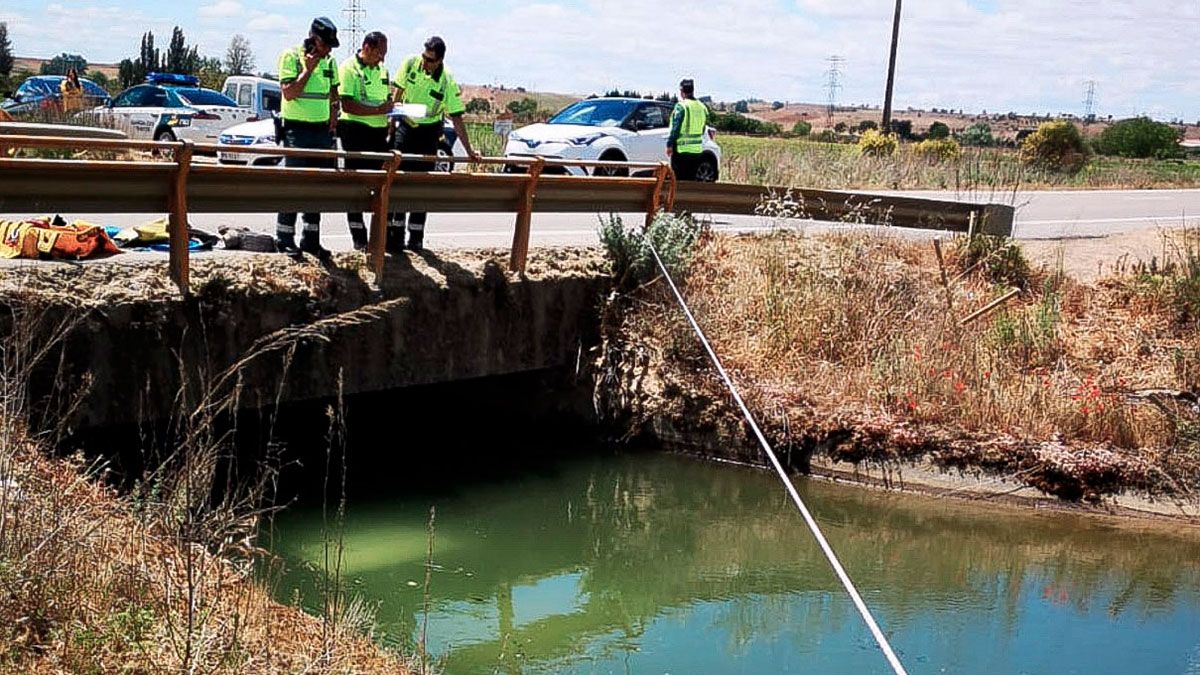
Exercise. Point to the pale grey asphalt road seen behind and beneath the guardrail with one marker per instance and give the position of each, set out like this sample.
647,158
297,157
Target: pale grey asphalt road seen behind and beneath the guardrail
1041,217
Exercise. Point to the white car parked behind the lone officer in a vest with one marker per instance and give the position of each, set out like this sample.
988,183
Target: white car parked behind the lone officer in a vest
623,130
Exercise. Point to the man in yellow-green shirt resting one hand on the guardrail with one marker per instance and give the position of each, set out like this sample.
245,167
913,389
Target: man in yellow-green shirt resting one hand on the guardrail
425,80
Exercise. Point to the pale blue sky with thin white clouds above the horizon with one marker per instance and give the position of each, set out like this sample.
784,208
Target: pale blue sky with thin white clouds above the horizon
995,56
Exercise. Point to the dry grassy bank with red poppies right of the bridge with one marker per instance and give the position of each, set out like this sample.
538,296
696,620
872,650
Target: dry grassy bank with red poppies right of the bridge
856,337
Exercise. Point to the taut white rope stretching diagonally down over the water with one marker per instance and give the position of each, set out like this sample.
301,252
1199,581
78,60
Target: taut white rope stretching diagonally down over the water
783,476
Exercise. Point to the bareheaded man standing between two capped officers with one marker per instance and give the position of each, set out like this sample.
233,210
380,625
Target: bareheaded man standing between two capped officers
367,101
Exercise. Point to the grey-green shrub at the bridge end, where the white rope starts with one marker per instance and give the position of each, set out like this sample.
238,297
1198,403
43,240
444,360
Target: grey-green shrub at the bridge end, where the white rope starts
675,237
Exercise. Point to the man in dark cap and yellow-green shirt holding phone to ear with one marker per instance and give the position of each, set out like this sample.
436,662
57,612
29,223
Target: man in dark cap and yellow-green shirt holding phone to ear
309,80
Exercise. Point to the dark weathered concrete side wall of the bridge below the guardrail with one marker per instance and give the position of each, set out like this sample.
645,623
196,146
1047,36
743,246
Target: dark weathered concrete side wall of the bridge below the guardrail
428,322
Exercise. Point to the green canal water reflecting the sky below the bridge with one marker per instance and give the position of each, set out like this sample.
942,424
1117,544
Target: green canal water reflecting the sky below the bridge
656,564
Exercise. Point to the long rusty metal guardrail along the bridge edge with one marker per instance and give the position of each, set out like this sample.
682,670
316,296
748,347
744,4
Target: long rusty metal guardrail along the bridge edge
166,180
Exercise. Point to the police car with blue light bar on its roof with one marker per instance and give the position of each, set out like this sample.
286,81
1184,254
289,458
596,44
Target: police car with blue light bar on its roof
172,107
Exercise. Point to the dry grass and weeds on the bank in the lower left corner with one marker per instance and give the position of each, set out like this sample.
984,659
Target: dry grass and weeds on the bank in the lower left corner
165,580
